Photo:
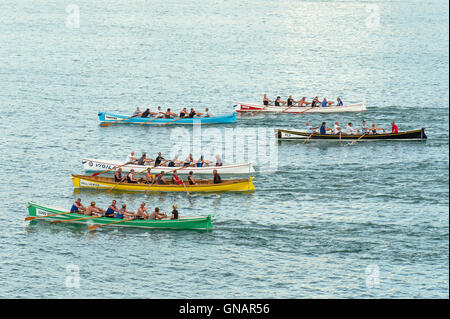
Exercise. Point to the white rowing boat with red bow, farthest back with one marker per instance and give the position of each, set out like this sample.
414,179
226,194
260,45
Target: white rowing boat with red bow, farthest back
347,107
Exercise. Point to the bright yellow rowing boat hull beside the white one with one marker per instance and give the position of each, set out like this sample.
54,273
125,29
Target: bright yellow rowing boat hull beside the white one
99,182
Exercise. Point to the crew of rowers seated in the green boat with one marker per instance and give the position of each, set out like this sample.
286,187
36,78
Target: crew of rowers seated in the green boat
113,211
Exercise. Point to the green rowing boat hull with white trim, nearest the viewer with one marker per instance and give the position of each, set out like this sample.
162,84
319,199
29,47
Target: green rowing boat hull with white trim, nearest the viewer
184,222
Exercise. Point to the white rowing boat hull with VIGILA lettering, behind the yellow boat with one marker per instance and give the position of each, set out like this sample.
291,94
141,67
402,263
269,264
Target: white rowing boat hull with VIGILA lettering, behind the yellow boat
95,165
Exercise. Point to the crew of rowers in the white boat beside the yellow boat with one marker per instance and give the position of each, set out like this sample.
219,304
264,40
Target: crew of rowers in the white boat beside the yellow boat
161,161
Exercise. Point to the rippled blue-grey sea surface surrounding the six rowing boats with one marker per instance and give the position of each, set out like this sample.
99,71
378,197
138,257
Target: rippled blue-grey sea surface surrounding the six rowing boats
366,221
